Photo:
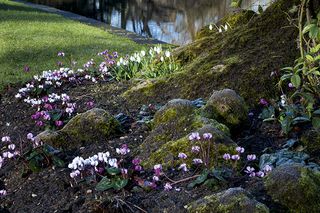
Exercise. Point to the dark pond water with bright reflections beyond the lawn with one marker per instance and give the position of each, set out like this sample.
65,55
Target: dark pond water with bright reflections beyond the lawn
171,21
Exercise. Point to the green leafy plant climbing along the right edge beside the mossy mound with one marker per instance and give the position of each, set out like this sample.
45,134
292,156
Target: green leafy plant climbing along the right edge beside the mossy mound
300,84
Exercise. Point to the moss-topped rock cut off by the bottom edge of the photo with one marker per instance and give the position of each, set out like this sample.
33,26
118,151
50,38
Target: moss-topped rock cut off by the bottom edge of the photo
233,200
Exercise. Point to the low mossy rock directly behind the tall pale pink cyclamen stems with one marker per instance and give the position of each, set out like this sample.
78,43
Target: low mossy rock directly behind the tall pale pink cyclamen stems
167,154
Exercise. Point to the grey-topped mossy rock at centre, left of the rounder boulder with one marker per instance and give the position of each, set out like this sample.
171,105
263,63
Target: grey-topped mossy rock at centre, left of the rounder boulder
173,121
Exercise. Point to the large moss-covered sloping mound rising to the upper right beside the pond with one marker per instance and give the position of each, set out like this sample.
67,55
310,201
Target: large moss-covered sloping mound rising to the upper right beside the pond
246,55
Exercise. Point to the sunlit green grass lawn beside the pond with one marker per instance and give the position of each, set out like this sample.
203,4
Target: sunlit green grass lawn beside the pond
32,37
